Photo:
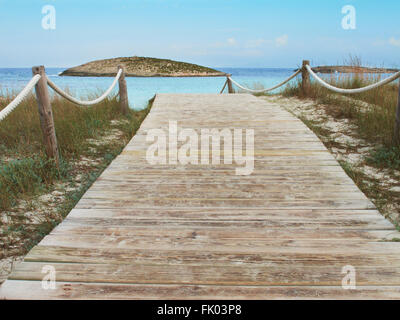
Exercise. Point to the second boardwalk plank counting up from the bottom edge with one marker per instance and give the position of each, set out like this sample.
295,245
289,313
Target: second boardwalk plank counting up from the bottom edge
255,274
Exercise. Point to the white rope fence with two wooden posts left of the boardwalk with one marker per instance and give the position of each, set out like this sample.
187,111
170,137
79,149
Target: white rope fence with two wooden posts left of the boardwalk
41,82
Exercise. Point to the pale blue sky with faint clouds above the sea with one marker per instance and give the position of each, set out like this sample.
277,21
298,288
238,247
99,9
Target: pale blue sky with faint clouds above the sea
218,33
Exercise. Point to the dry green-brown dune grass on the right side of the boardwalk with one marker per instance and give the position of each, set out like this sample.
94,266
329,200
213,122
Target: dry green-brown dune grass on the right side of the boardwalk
374,117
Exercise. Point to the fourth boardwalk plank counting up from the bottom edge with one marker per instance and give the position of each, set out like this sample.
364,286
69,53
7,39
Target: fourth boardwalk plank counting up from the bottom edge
230,246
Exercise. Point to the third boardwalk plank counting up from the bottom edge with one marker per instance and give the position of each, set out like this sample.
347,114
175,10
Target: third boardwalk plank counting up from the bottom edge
56,254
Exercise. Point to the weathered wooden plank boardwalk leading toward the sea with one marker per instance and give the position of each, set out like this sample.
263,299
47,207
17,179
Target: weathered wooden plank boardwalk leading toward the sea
200,231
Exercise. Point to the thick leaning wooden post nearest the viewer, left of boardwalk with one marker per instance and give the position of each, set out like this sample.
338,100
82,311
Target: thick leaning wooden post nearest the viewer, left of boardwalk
46,115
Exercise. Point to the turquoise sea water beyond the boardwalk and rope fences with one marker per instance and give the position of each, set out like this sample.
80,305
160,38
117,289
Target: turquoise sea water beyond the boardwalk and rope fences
140,90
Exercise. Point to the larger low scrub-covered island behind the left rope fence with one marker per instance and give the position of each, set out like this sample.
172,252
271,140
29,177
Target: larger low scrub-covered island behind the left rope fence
141,67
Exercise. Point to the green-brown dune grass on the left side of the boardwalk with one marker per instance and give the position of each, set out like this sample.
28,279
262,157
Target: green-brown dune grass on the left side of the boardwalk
24,168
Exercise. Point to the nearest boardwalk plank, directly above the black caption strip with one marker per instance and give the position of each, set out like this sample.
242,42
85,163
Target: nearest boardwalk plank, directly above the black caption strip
99,291
